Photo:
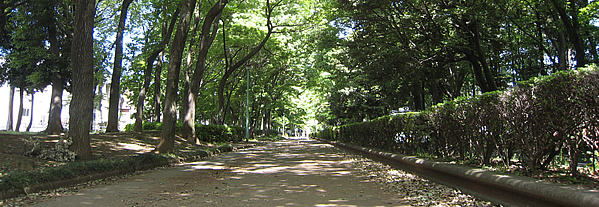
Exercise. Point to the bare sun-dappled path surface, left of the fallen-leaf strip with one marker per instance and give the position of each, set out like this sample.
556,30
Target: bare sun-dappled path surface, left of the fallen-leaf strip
289,173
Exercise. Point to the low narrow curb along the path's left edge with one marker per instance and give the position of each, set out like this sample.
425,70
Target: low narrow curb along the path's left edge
86,178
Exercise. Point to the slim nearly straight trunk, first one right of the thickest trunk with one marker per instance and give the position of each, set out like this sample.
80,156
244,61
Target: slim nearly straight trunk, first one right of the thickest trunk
115,85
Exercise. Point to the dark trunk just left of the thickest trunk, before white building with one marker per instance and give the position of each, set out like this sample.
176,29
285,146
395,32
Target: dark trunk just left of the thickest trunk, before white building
58,84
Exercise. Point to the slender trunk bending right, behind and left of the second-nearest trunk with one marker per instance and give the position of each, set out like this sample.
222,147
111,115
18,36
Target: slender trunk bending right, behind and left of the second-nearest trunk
167,32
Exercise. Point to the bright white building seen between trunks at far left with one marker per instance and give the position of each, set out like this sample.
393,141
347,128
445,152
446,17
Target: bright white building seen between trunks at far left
41,107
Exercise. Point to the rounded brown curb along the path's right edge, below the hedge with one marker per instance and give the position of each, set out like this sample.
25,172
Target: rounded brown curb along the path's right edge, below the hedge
499,188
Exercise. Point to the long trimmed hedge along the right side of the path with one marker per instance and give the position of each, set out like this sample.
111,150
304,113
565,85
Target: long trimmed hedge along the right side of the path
535,121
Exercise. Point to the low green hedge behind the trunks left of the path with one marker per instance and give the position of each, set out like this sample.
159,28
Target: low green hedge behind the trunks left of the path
205,133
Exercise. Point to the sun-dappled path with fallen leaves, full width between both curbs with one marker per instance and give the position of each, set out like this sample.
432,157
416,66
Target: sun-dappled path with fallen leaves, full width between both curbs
287,173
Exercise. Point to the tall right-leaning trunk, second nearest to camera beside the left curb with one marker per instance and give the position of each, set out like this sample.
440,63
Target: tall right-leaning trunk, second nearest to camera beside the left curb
167,138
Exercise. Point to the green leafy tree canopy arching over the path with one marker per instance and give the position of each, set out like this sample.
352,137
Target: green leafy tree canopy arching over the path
332,62
